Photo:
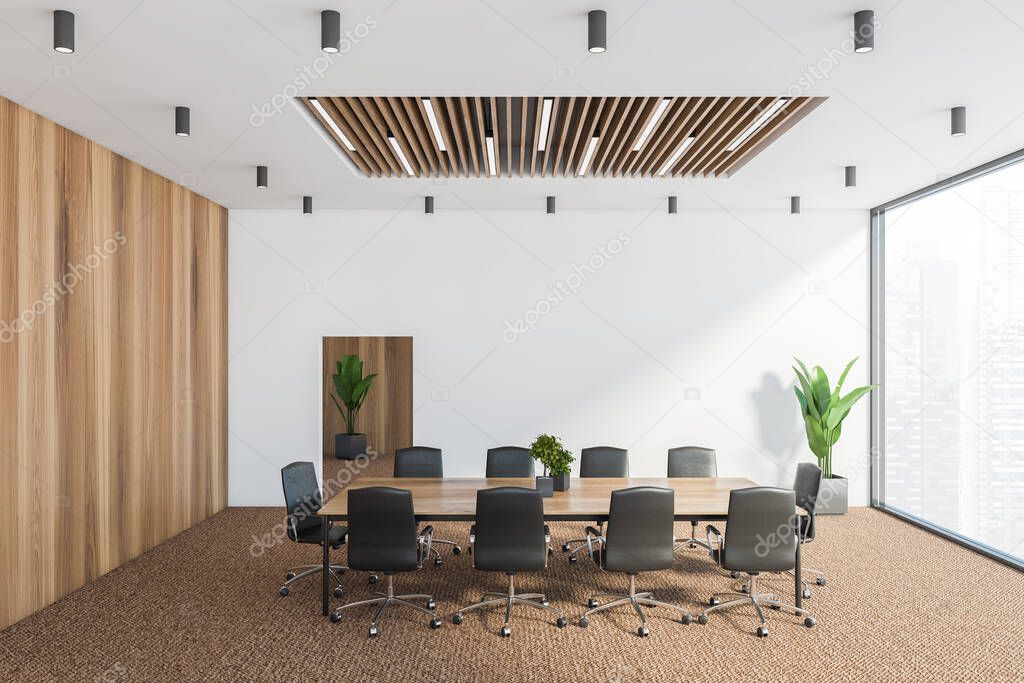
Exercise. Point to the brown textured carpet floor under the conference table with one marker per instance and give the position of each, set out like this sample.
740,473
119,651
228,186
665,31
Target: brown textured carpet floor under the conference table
901,605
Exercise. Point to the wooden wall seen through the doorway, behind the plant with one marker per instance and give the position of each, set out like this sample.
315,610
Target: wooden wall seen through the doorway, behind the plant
387,417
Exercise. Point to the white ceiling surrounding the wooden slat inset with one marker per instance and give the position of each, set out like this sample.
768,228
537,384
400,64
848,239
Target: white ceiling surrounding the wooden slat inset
888,111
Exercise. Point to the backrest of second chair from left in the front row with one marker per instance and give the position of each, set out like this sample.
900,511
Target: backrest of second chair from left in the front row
509,530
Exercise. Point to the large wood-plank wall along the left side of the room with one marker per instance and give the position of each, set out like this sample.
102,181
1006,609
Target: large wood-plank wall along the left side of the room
113,357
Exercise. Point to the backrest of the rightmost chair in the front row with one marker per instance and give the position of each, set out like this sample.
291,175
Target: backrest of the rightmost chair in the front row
760,534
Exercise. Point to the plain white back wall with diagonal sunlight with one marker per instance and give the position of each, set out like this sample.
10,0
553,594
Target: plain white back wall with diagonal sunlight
682,333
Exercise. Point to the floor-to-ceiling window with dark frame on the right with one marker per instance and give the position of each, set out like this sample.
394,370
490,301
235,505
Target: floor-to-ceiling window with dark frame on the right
950,355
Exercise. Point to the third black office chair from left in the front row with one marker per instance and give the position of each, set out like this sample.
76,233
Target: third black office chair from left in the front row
639,539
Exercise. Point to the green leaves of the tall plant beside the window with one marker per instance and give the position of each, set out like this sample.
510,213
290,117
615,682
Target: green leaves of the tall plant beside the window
825,410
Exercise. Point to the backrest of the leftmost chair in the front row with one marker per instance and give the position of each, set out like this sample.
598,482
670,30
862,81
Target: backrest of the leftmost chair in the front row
381,530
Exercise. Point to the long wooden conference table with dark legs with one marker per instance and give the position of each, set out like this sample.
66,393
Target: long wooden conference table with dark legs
698,499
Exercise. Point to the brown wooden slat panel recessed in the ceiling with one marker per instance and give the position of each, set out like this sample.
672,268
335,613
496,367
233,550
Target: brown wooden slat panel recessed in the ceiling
714,121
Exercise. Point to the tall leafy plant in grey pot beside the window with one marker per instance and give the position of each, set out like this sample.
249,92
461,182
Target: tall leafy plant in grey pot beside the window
824,411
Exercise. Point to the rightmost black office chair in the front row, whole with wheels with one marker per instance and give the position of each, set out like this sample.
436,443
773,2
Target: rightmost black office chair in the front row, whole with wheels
759,538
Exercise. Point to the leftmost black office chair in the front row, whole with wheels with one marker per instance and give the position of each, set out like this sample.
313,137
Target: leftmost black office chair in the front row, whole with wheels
382,538
